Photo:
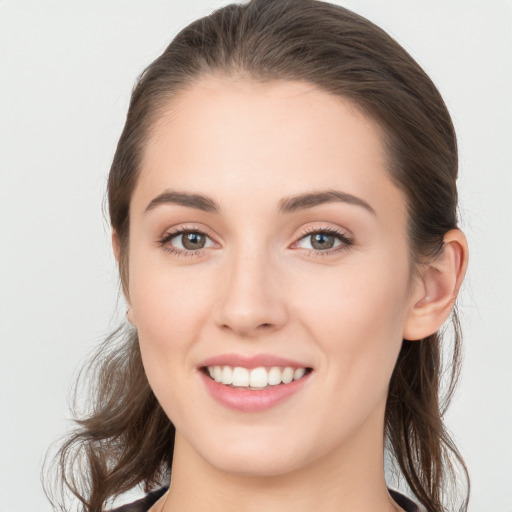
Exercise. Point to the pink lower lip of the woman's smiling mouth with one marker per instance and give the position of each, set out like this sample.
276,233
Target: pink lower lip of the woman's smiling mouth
246,400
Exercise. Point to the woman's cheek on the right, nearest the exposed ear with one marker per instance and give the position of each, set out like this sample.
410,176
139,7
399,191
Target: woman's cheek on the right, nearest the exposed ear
357,316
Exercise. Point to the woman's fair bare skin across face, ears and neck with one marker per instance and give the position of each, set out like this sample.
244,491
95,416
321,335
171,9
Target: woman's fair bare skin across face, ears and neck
258,288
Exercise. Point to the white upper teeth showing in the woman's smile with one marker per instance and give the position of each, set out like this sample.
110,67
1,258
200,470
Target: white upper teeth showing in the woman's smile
257,378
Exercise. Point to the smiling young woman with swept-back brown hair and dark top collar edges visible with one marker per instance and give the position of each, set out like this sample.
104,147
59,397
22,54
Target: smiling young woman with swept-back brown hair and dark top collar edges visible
283,205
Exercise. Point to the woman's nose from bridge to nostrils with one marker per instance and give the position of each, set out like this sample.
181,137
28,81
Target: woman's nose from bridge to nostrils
252,301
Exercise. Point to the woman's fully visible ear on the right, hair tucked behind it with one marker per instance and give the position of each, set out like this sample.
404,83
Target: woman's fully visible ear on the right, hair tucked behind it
437,287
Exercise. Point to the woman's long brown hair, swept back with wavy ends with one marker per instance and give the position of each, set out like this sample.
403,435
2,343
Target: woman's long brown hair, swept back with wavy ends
126,439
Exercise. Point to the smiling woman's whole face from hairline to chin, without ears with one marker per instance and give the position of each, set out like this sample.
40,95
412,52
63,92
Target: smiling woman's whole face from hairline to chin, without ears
265,233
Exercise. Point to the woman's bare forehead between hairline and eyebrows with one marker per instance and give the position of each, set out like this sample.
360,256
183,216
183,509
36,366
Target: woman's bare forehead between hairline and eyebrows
234,136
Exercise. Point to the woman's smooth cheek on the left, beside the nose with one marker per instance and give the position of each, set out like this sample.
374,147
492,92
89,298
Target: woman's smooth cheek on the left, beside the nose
169,308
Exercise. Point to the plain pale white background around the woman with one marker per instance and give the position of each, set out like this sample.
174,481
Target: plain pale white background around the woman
66,72
